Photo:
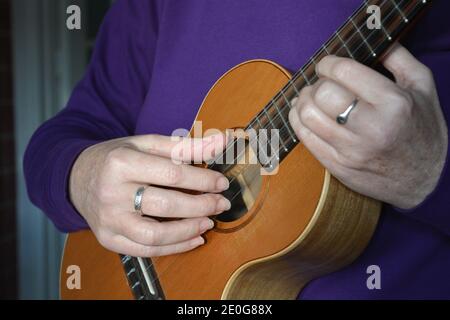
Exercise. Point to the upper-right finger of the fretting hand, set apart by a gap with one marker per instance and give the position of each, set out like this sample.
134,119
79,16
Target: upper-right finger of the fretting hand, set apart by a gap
407,70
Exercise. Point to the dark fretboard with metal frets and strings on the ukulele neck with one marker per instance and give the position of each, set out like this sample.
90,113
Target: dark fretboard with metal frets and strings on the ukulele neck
354,39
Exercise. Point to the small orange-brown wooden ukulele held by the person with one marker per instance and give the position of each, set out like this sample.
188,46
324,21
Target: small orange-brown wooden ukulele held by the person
283,230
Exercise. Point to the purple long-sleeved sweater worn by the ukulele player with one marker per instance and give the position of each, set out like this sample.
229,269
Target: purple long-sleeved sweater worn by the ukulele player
154,62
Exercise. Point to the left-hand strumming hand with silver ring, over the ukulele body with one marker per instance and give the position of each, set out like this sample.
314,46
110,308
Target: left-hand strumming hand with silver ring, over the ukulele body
106,176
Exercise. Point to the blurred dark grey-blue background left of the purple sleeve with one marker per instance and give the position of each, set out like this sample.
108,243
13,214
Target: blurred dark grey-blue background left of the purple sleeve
40,62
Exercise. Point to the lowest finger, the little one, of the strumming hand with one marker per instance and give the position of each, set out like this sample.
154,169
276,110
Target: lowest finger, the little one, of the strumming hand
123,245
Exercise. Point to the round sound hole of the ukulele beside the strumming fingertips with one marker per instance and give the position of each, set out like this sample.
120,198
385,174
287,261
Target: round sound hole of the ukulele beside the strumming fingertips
245,182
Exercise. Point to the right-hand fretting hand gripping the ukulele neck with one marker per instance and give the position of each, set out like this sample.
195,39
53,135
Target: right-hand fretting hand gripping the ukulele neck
394,145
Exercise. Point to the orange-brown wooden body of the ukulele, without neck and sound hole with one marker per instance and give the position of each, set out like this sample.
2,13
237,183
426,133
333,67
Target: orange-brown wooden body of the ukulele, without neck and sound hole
303,224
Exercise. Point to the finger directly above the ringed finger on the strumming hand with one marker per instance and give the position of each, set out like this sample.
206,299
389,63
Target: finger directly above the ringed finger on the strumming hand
151,169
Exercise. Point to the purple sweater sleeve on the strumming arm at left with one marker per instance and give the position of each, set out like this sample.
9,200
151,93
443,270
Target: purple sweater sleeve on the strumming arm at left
103,106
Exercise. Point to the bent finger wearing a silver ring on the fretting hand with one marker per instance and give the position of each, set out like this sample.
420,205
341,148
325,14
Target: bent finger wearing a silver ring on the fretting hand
333,99
